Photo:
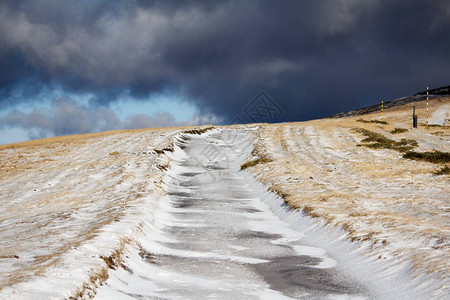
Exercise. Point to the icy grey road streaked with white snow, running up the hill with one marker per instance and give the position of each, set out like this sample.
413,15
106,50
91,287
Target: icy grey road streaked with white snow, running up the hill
217,236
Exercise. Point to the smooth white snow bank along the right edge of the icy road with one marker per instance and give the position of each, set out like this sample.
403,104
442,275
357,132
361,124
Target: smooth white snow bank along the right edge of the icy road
390,278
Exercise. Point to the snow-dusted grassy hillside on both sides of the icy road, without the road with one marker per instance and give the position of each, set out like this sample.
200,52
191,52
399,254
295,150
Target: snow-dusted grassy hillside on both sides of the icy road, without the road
72,207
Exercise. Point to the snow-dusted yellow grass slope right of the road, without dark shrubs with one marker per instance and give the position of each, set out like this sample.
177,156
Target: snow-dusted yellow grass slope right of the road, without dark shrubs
393,206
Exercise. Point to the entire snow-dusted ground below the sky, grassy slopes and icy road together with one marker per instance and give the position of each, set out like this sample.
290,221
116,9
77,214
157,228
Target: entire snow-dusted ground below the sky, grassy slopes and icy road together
82,211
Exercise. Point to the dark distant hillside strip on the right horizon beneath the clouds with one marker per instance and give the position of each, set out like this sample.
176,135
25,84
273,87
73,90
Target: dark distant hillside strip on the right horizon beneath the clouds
434,93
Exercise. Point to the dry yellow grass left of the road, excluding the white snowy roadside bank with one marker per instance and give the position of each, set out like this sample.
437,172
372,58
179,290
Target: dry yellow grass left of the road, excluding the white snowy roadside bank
46,185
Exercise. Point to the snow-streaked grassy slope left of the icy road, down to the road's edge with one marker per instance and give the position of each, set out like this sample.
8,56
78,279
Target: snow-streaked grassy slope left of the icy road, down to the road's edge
66,203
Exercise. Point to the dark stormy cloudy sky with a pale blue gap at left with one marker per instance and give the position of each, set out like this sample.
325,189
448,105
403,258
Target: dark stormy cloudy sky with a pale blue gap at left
83,66
